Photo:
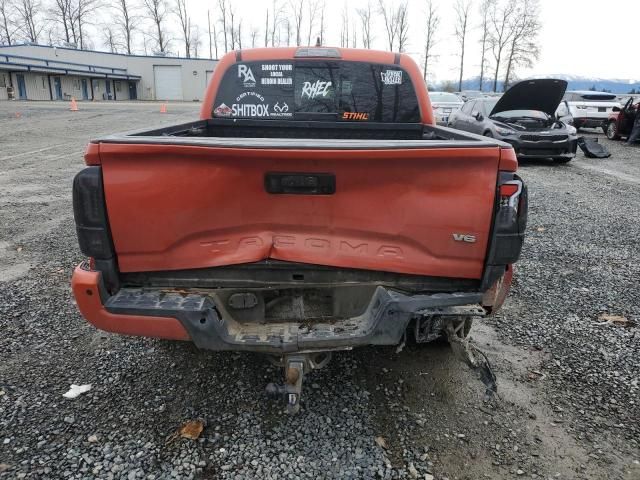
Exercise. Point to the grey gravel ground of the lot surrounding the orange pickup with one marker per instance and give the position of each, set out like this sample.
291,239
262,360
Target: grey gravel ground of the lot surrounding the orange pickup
568,403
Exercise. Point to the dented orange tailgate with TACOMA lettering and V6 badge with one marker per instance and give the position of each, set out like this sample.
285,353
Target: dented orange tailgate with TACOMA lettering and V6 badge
414,210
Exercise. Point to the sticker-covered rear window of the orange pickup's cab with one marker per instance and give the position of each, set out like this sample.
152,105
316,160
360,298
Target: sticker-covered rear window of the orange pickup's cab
317,90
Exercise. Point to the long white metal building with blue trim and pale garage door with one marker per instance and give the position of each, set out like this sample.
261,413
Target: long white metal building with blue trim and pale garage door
39,72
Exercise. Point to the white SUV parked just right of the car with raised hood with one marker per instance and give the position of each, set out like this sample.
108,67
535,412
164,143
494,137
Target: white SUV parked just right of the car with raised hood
587,109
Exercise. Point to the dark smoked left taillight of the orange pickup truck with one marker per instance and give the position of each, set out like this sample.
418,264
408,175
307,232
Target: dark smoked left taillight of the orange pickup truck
90,214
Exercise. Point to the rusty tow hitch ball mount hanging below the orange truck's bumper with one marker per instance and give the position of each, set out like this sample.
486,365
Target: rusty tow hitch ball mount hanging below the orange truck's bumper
295,368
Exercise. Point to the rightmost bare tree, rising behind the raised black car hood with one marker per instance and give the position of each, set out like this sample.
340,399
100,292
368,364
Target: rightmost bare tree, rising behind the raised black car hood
525,27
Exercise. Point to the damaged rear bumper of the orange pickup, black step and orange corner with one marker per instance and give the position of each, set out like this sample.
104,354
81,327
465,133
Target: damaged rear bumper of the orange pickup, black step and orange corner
198,317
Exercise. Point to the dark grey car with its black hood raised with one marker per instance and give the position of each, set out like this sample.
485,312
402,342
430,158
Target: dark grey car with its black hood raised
523,117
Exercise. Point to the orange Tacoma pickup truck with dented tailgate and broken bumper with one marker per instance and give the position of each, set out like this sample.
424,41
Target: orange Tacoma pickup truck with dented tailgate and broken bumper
314,207
